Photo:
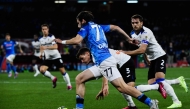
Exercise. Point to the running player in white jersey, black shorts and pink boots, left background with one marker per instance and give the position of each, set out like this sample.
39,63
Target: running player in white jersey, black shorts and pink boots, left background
50,56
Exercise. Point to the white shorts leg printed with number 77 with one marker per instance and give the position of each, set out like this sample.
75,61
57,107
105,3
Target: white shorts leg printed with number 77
109,70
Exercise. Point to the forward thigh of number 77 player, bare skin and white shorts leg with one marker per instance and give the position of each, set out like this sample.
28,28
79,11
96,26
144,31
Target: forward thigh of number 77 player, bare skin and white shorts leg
88,74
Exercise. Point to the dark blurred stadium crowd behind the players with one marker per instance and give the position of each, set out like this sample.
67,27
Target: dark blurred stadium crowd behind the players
169,20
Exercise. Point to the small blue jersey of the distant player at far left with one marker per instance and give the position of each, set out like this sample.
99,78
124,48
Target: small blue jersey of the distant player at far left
9,47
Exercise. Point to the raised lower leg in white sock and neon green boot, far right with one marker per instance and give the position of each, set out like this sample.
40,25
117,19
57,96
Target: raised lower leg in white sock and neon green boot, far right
180,80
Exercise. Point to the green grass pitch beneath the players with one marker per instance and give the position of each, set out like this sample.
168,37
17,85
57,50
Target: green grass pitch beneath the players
29,92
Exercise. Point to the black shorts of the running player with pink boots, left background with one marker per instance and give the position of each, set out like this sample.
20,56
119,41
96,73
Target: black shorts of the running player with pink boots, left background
57,62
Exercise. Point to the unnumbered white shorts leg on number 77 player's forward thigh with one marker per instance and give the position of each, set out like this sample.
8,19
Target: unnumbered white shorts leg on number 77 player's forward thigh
95,71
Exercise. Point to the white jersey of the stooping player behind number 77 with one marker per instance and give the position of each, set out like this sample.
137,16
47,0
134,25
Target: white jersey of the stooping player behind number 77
120,57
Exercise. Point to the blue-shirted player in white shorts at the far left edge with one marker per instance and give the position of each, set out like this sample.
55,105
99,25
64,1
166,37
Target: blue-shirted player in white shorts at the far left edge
9,48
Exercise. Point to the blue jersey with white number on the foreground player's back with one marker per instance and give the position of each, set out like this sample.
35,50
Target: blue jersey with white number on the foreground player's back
93,35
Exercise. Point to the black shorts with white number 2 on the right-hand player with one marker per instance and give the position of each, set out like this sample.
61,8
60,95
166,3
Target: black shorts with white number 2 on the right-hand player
157,65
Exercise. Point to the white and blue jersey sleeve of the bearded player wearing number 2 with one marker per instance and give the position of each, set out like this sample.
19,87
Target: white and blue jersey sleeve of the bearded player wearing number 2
145,37
